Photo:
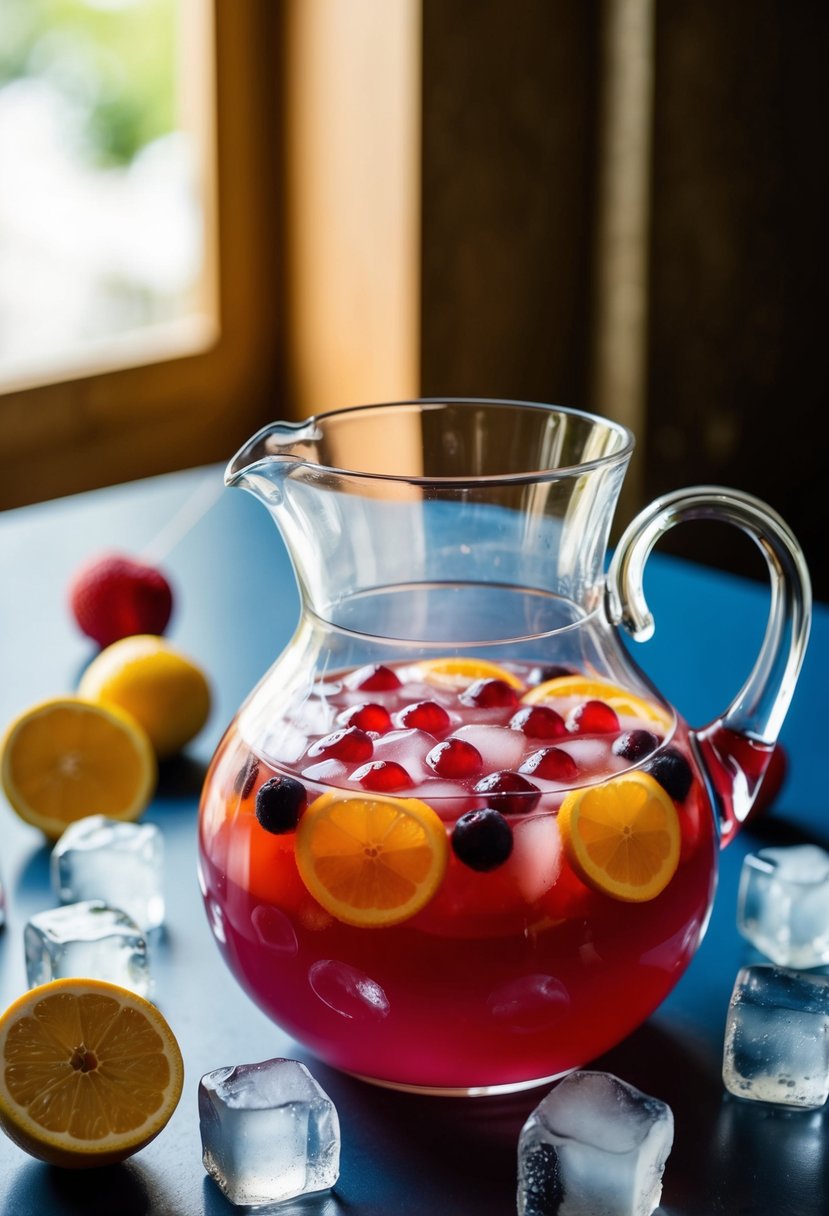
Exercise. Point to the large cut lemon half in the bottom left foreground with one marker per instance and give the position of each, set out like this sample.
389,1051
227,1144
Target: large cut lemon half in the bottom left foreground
91,1073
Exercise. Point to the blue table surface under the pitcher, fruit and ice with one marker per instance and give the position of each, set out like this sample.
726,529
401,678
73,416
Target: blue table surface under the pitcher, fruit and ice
236,607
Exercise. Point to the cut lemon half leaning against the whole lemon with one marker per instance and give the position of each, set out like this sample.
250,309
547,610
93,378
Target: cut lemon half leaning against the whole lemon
69,758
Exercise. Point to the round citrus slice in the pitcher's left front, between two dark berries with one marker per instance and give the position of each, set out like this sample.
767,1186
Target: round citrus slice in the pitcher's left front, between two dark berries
371,862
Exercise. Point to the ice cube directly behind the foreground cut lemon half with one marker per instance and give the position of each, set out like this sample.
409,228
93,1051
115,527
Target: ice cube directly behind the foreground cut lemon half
87,939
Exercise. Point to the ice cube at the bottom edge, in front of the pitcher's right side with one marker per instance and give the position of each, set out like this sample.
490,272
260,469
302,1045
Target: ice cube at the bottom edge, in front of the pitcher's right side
595,1146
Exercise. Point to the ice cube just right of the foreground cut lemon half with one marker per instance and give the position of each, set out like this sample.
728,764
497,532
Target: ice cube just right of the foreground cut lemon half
269,1133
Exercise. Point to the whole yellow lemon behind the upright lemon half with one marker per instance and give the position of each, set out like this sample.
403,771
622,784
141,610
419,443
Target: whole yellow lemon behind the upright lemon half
162,689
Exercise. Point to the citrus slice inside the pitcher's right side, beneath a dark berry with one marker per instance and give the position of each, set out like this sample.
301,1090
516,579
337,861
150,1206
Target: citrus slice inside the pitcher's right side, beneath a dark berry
623,837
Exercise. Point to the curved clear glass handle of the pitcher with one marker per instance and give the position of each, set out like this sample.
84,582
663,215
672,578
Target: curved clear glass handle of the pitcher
736,748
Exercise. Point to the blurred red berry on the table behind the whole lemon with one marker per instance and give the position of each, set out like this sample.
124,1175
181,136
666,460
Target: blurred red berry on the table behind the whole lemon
116,596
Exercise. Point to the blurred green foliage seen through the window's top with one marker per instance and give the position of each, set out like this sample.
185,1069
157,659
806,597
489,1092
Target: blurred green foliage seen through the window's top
114,63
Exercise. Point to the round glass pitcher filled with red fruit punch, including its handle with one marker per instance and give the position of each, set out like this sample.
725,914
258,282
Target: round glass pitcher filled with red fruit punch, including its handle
455,841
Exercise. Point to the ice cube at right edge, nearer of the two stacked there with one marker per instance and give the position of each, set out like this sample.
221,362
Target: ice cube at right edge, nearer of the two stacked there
777,1038
